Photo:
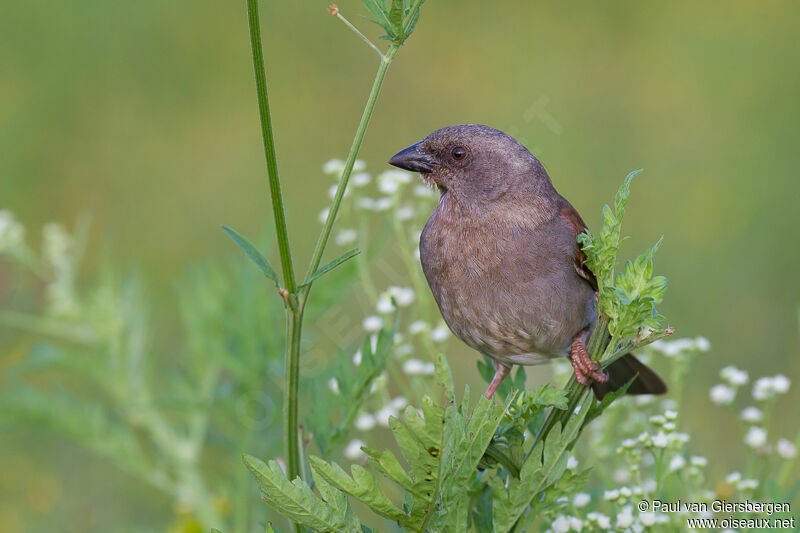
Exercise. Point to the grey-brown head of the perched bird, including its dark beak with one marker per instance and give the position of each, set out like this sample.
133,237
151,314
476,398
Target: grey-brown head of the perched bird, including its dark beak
472,162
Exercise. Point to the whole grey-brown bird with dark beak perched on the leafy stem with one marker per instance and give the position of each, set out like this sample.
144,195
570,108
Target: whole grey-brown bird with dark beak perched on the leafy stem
501,257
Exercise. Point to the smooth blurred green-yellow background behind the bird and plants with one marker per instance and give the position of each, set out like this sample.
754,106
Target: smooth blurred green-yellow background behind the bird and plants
143,114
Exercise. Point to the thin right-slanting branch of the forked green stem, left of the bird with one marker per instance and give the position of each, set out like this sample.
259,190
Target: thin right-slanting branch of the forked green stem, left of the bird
361,130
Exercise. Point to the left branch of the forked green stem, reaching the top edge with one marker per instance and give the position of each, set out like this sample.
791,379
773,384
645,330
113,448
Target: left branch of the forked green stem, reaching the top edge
269,148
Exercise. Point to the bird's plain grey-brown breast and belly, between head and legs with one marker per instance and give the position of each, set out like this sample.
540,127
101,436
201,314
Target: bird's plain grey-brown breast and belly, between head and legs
505,288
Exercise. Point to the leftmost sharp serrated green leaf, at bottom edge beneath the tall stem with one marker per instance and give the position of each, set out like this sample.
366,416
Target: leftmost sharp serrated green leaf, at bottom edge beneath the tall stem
295,500
